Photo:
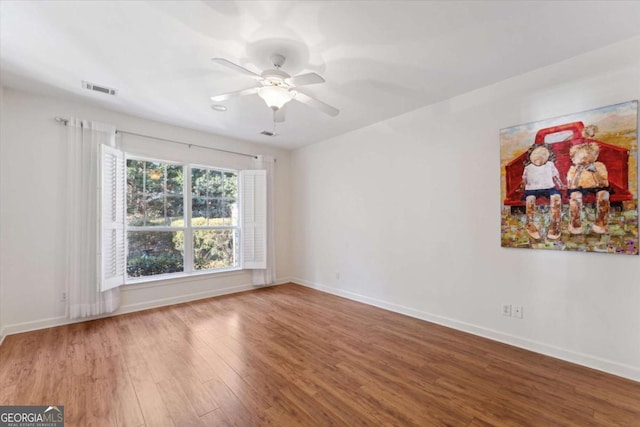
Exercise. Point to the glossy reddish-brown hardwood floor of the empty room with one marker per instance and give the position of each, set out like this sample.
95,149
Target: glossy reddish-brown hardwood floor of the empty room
291,356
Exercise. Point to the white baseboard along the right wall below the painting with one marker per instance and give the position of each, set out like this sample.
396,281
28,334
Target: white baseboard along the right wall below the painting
611,367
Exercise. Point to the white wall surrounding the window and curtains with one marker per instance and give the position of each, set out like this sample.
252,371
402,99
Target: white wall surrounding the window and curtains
32,222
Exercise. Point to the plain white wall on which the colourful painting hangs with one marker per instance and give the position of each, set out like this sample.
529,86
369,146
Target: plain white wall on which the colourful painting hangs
407,211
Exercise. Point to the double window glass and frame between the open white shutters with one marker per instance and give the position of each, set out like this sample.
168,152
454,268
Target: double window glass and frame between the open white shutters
162,236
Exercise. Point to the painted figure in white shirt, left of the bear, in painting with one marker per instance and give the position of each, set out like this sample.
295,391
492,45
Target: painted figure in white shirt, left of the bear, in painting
540,179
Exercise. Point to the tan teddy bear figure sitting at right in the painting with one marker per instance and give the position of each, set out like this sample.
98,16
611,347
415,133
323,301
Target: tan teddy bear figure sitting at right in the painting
585,176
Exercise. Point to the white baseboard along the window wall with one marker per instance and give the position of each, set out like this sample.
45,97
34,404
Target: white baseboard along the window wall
17,328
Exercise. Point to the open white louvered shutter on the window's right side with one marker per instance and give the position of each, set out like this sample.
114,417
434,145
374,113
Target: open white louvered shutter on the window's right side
253,198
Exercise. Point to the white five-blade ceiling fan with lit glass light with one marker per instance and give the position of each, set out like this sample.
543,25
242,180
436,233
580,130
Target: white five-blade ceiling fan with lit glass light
277,88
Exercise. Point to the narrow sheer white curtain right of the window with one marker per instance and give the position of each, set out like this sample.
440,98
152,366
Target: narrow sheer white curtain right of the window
268,275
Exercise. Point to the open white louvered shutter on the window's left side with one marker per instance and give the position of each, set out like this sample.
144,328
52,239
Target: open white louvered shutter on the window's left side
112,241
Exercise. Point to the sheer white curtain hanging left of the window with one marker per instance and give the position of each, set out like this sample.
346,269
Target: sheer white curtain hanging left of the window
82,273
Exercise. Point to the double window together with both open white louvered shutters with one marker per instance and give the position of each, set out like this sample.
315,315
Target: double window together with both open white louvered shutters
160,217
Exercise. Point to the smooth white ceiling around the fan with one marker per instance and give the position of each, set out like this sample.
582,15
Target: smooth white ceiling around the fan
379,58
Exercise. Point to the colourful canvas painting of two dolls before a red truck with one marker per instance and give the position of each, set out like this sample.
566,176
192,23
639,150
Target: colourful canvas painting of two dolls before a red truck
571,183
